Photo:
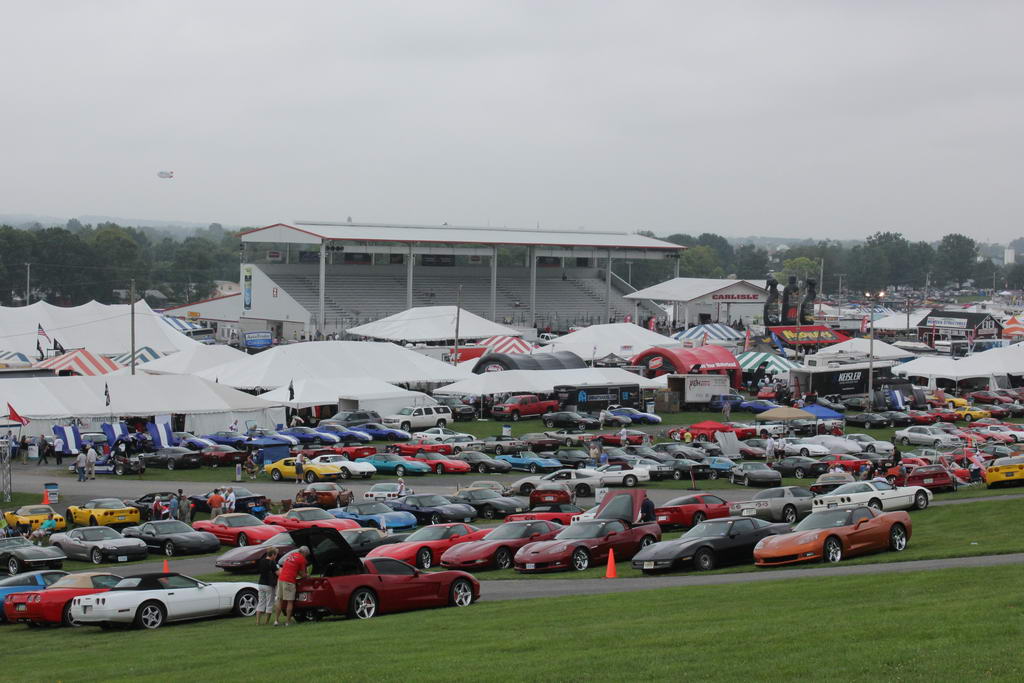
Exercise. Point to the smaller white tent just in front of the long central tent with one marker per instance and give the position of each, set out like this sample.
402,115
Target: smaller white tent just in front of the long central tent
365,393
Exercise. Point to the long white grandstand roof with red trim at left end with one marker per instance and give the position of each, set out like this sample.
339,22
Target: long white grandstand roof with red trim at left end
310,232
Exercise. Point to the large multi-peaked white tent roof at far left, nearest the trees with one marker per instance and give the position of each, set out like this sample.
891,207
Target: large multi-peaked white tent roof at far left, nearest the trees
103,329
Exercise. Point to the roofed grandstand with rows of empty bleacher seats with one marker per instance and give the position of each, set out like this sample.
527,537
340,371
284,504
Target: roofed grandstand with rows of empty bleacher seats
318,278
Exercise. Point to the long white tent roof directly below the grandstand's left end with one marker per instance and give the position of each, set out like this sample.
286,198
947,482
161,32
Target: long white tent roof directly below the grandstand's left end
281,365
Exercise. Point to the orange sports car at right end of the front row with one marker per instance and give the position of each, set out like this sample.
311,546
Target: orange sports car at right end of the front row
831,535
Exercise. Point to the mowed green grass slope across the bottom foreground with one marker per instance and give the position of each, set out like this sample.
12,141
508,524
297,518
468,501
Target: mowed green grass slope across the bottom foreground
928,626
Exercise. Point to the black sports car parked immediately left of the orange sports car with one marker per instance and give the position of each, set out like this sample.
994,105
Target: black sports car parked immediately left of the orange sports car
708,545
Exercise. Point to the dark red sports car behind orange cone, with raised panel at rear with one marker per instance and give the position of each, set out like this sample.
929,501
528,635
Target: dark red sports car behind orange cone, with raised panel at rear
588,543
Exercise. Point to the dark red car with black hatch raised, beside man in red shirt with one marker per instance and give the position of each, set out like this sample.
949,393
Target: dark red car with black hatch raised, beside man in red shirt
363,589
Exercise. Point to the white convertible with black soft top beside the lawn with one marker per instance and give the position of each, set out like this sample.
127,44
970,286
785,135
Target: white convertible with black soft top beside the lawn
150,601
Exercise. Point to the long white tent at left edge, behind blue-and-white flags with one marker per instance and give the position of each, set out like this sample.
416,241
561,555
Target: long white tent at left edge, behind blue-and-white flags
207,407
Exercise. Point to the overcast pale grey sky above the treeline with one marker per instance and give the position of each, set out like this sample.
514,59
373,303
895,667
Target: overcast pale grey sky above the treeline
793,119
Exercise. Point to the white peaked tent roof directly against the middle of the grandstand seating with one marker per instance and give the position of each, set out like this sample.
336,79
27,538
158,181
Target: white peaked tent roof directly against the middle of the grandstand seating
432,324
